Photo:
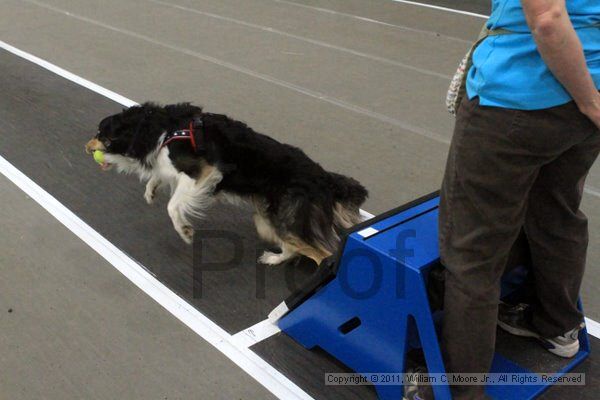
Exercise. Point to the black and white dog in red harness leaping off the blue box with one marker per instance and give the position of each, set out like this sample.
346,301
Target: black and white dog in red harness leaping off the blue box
202,157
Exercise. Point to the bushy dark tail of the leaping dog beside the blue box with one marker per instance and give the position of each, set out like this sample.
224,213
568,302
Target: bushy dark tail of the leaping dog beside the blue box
349,195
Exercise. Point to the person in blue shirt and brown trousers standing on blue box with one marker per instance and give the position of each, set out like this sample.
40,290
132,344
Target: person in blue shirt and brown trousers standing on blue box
526,135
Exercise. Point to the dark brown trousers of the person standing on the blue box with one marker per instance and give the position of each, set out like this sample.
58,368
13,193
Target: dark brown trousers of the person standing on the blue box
510,170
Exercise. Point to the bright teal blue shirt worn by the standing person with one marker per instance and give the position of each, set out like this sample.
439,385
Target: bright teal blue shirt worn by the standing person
509,72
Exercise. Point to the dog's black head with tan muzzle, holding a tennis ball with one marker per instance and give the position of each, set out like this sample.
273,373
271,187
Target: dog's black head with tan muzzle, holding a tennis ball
127,137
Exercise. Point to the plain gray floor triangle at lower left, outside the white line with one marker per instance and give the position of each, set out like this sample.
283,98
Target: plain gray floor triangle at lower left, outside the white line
74,328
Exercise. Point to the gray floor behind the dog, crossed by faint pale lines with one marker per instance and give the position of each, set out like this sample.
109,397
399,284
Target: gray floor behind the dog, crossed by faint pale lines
361,97
